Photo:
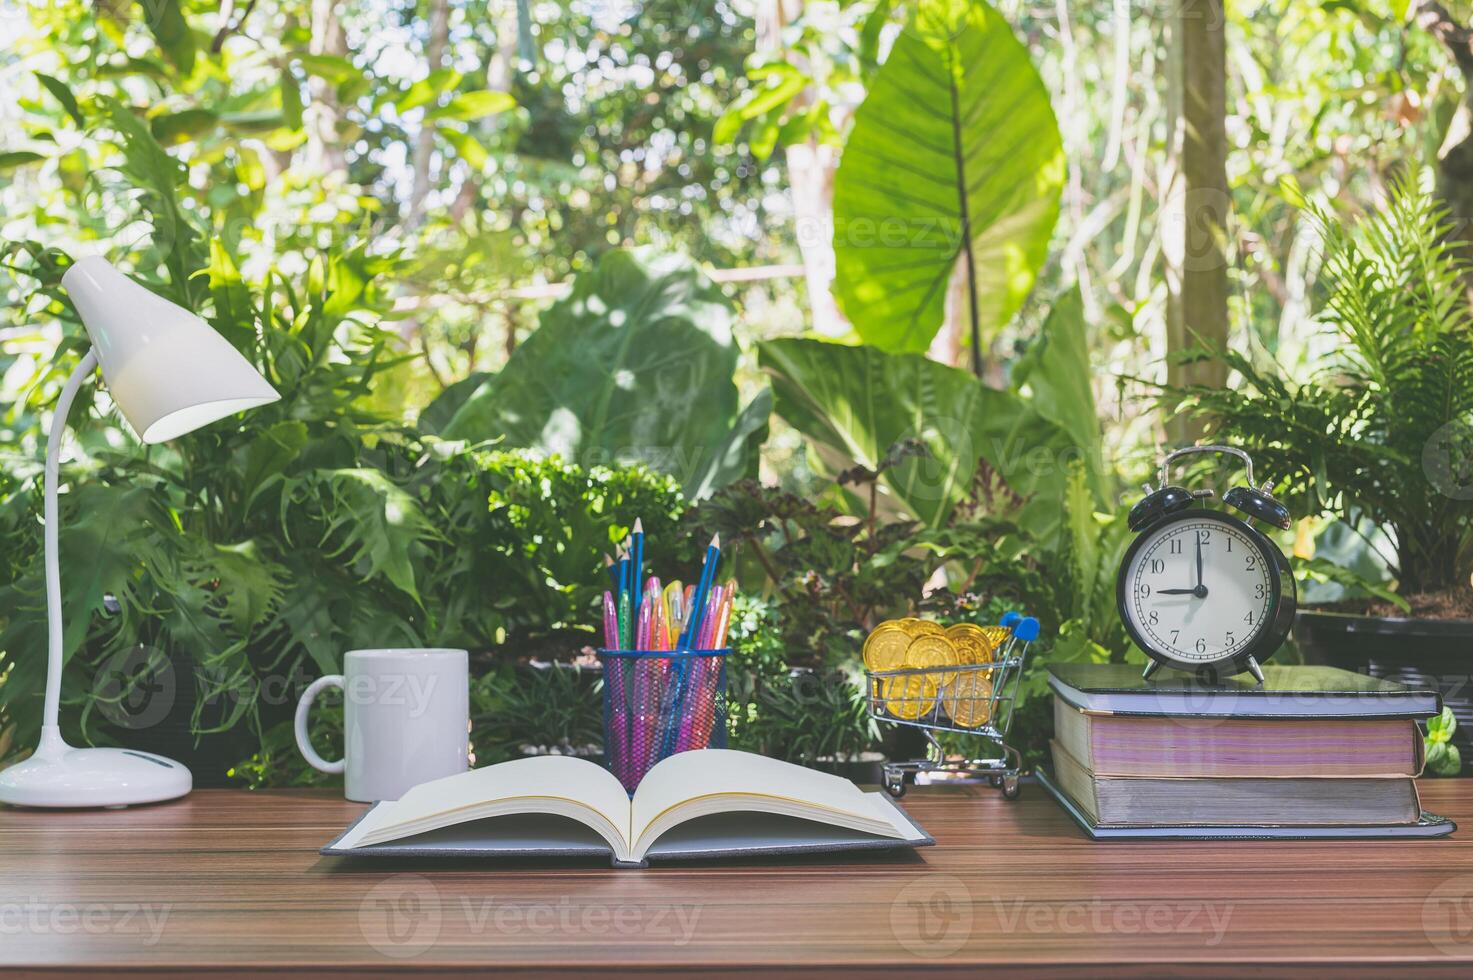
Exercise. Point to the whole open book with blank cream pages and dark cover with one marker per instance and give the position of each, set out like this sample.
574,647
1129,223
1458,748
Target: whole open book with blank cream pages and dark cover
705,804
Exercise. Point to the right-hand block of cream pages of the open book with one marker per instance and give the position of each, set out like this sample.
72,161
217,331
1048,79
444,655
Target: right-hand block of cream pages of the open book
718,780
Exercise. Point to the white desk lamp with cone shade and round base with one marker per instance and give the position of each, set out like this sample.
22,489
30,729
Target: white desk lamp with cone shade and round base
169,374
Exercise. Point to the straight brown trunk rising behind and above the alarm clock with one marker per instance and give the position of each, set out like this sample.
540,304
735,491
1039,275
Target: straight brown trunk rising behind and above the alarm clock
1197,204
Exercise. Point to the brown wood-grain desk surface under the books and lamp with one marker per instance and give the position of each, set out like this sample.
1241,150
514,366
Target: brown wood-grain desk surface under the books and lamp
233,881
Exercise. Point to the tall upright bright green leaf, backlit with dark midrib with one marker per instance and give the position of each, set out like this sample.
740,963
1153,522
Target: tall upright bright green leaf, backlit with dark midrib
955,158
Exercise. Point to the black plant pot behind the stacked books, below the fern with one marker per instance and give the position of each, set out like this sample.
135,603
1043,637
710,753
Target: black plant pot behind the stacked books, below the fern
1424,654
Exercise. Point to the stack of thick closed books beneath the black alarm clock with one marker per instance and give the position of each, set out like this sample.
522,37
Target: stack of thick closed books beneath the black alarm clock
1315,752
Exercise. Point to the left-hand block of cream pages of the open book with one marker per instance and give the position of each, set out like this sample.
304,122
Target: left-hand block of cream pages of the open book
552,785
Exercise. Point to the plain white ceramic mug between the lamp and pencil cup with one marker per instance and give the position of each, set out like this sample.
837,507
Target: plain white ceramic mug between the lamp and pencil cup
406,720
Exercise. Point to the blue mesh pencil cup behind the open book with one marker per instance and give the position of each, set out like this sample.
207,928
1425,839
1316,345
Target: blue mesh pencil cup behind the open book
658,704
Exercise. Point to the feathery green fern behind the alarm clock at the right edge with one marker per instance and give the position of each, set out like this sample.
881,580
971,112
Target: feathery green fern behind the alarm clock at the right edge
1381,434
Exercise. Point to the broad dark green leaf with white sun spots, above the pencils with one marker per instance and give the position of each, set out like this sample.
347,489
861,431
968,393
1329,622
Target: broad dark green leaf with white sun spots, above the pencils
634,366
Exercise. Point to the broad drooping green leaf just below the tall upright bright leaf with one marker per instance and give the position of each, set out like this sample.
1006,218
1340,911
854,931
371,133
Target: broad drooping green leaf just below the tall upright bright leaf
854,403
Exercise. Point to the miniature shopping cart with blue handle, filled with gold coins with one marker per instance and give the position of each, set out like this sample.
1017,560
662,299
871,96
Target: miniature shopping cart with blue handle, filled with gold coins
976,699
